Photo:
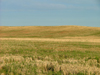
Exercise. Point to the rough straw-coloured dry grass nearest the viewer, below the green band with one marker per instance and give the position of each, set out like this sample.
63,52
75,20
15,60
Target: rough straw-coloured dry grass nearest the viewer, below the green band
68,66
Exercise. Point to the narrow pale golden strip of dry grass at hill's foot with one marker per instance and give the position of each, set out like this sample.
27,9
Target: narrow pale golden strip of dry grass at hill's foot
69,39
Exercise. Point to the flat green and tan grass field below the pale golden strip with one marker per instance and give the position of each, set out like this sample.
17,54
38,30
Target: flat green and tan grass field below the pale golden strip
49,58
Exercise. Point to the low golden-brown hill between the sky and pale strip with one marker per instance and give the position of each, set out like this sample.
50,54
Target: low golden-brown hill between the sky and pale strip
48,31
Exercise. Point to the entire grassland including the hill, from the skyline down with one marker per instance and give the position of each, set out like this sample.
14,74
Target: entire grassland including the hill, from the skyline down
61,50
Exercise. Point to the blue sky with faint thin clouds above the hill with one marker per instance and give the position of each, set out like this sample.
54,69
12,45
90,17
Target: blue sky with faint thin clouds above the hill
50,12
